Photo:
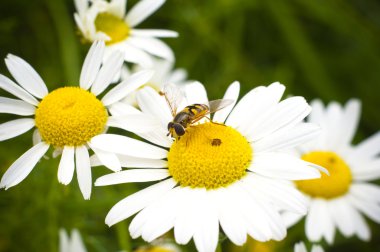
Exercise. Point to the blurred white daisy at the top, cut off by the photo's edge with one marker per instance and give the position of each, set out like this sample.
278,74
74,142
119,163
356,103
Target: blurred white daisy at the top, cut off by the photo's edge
108,21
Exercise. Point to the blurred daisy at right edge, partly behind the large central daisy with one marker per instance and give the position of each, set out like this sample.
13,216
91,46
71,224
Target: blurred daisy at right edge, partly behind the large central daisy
339,201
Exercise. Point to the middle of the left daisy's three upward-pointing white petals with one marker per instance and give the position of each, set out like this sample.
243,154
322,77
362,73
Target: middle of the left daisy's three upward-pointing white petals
107,73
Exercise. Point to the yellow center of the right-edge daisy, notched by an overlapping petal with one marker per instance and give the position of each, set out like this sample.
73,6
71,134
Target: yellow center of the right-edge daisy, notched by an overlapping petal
335,185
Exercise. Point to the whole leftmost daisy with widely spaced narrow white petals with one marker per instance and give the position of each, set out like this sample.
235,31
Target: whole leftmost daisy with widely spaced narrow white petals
66,118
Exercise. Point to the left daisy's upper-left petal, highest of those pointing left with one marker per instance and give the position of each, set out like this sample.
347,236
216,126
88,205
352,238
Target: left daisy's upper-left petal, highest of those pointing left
26,76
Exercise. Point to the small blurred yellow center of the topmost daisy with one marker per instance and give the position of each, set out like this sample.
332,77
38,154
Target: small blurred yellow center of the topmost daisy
113,26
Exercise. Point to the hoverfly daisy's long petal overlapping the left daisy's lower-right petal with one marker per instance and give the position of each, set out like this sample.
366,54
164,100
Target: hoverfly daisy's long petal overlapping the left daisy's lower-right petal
127,146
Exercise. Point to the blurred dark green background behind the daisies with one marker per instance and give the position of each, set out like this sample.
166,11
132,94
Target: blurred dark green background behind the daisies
328,49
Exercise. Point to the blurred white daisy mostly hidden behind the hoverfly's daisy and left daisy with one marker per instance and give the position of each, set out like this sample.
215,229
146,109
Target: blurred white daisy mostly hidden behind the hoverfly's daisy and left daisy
163,73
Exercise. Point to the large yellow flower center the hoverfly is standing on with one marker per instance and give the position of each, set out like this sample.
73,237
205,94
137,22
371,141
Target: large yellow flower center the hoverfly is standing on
209,156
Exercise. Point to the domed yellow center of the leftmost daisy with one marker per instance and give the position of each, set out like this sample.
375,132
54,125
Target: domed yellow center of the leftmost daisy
70,116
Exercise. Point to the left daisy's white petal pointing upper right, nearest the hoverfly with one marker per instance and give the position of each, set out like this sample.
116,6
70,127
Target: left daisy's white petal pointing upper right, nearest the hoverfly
124,88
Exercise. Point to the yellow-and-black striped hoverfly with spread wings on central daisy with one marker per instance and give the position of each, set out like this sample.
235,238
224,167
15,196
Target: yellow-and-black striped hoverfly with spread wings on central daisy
191,113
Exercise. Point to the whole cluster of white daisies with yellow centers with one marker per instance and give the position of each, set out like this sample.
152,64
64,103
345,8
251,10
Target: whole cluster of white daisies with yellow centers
249,167
